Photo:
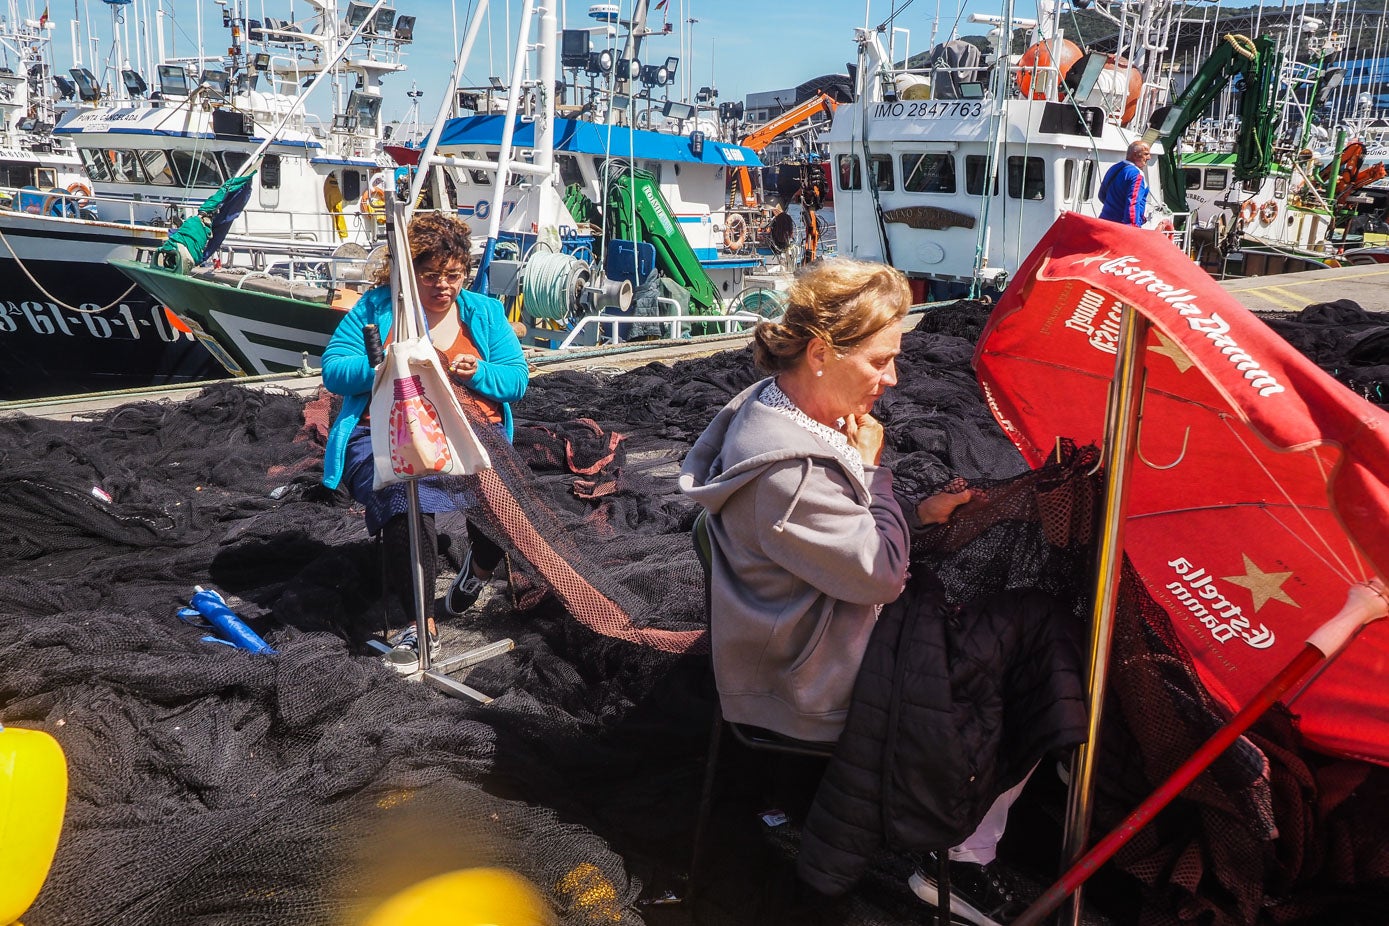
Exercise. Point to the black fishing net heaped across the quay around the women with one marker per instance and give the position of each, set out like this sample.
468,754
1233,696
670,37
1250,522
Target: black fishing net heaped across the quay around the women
213,785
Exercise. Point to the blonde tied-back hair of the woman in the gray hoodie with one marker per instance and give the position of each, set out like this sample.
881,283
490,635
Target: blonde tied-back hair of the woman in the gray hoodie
841,302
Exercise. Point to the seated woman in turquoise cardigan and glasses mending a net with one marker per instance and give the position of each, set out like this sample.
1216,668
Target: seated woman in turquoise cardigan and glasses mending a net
483,356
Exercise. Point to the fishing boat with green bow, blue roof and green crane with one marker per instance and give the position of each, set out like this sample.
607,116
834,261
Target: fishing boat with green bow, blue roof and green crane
591,228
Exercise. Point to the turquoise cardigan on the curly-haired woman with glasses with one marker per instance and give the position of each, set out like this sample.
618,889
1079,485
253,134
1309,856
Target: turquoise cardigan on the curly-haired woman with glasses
502,371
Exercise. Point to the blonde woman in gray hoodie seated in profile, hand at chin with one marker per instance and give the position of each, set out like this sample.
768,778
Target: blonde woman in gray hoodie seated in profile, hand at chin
809,542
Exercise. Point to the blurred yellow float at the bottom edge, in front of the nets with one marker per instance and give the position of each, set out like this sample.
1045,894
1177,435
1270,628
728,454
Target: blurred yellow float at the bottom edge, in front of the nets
469,898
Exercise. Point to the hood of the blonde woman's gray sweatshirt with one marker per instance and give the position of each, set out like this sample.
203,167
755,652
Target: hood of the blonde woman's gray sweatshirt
742,441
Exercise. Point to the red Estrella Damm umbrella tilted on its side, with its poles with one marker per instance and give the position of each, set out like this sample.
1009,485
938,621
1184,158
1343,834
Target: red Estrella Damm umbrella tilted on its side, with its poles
1248,488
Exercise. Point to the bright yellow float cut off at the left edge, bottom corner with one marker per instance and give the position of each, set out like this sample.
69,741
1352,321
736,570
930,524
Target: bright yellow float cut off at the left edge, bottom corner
34,792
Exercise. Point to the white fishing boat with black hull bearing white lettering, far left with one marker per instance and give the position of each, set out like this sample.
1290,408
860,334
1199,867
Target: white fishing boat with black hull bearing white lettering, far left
155,152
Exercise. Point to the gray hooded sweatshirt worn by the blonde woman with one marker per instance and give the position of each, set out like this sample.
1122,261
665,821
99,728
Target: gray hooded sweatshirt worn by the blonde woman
805,556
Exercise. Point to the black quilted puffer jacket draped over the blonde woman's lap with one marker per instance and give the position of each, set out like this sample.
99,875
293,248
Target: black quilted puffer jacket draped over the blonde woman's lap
952,707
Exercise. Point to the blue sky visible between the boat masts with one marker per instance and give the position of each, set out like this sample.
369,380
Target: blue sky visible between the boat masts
740,47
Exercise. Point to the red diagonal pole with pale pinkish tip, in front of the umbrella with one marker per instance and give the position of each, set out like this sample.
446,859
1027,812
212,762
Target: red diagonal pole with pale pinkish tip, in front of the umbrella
1366,603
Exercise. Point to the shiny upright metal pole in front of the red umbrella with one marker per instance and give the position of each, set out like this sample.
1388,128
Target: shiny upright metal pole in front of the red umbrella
1120,442
